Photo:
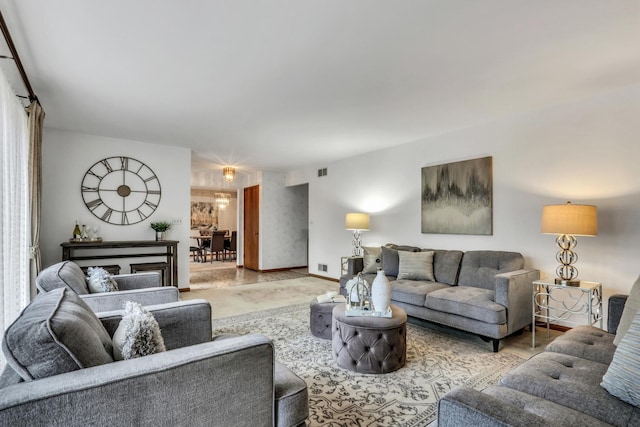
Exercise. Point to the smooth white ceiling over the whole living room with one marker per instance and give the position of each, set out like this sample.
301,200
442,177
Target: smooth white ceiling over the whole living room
278,85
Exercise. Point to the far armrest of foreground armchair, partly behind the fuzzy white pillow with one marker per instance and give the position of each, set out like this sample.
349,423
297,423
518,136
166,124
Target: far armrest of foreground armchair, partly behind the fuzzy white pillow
182,323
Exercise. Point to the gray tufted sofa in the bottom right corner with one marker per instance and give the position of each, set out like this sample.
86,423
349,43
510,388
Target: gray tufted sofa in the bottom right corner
559,387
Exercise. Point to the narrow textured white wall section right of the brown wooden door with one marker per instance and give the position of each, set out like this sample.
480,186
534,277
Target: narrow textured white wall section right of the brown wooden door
283,223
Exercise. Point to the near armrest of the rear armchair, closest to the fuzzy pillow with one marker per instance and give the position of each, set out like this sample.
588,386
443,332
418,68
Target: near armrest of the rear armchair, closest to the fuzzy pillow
108,301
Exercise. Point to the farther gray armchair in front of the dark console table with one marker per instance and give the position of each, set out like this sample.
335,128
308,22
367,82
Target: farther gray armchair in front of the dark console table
143,288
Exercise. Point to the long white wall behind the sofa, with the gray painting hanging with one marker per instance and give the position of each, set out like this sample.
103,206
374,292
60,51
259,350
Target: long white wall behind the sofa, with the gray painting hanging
587,152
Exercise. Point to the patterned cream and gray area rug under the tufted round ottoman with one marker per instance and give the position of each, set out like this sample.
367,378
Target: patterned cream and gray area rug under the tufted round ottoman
436,363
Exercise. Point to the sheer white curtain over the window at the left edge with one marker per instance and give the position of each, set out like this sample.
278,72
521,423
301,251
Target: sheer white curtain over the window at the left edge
14,223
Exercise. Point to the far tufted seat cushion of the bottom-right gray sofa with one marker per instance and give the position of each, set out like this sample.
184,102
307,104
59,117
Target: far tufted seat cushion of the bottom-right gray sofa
586,342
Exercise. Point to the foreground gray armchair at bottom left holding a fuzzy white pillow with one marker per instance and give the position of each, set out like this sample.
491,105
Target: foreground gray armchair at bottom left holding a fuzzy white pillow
60,372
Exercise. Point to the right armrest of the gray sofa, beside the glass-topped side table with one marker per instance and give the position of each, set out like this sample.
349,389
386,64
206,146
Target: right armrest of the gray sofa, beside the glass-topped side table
514,290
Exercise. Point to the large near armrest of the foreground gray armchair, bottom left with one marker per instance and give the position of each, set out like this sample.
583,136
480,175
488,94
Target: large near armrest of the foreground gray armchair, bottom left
227,383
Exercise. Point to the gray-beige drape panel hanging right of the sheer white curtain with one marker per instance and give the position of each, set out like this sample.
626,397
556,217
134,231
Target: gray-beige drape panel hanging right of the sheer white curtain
36,118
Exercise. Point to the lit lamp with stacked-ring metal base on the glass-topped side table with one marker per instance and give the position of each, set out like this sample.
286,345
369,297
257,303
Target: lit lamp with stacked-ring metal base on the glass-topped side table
568,221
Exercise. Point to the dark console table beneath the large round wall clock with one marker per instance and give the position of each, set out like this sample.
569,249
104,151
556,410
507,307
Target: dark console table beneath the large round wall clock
170,252
